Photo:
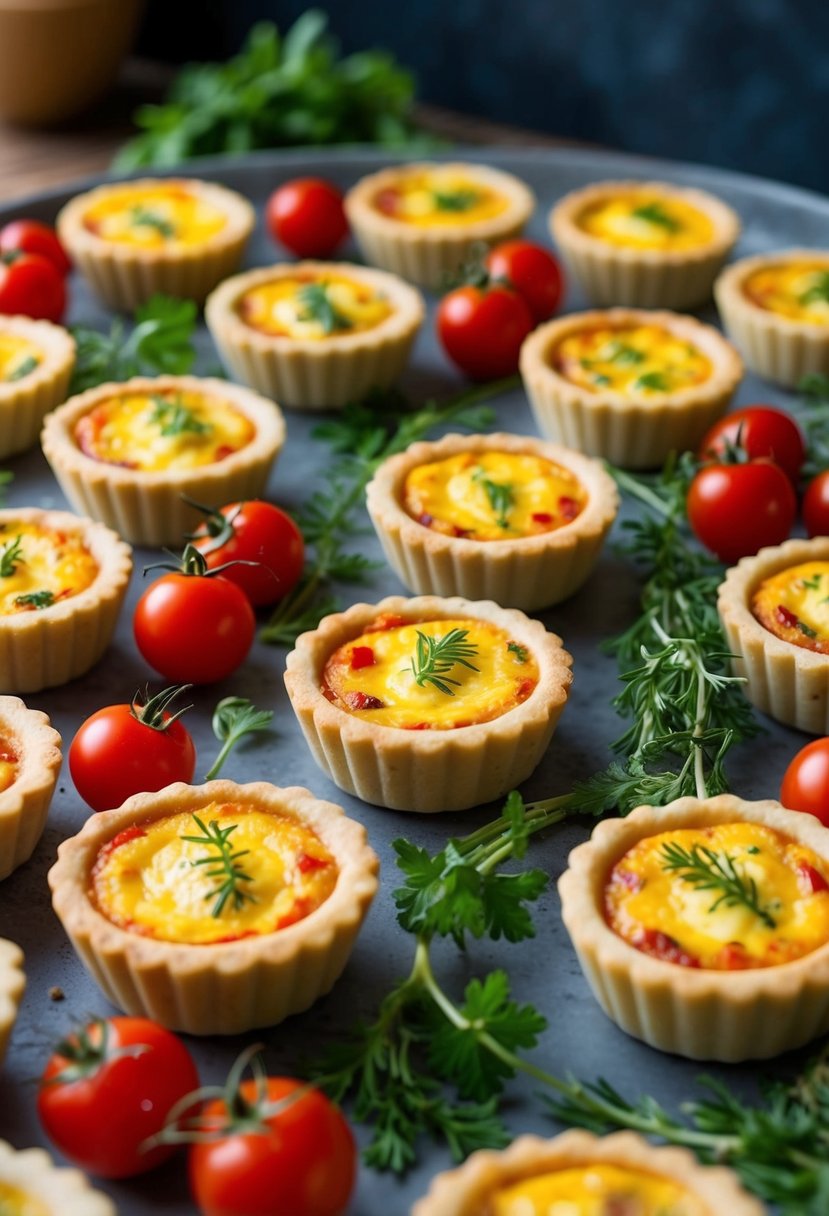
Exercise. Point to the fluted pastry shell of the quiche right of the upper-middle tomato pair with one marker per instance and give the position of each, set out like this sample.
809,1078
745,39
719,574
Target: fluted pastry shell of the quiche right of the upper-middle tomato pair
633,435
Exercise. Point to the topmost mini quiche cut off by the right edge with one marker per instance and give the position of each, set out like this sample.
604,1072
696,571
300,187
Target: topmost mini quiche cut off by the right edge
776,308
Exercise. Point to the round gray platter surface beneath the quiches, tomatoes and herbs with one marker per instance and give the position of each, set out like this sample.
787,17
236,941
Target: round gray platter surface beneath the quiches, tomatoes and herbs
580,1039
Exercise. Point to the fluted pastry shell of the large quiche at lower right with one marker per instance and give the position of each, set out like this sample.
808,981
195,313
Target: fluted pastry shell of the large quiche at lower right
729,1016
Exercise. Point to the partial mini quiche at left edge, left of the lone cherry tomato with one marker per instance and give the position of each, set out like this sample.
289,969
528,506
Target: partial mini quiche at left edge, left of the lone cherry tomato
30,764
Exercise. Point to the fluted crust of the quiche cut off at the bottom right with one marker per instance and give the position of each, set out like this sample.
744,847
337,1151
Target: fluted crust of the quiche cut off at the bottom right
466,1191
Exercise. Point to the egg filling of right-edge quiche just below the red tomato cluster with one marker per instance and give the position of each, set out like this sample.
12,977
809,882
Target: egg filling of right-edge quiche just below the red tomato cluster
794,606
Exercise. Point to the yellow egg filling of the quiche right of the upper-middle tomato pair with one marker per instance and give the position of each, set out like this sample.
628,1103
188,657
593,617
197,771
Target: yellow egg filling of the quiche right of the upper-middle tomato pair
640,363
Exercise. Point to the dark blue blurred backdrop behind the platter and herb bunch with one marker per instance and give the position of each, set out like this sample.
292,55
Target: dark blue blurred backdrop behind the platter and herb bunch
736,83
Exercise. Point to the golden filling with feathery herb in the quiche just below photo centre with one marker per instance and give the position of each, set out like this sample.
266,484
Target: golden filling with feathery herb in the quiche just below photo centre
432,675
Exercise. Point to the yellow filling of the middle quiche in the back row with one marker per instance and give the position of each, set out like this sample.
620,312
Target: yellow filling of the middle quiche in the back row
439,198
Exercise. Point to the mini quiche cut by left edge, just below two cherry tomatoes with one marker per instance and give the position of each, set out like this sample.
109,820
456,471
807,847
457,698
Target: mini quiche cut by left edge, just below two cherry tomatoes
36,364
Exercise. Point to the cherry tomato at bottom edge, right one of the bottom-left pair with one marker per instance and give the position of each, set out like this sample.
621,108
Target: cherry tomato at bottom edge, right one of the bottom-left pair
300,1159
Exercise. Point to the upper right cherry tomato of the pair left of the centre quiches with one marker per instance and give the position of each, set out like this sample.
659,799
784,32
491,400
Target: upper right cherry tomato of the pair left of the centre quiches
253,532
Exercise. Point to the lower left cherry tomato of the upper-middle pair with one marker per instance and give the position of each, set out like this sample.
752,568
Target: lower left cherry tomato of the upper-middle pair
482,330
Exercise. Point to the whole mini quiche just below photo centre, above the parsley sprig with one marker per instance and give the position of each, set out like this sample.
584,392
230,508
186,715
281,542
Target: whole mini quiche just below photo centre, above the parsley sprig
428,705
